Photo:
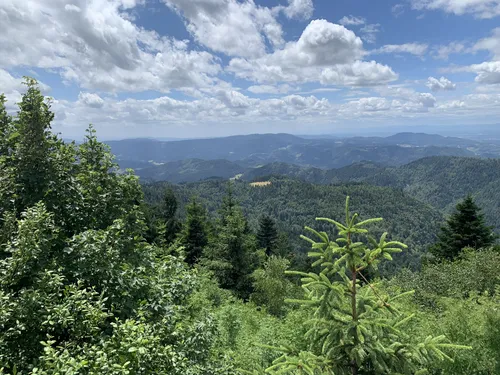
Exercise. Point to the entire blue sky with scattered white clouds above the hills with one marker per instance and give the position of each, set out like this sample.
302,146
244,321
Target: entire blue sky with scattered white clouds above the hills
206,68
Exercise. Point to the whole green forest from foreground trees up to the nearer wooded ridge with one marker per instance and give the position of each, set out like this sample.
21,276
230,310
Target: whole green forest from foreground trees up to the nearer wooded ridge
100,274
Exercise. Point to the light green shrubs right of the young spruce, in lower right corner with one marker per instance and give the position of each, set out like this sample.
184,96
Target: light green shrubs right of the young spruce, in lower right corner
460,300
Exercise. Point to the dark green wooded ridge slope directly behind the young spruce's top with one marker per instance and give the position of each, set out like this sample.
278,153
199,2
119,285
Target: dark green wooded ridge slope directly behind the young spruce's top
294,203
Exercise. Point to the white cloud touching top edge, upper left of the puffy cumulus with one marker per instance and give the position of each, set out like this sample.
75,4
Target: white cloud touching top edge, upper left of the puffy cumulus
230,26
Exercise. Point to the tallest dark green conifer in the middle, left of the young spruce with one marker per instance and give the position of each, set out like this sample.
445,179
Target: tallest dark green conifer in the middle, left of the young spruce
232,254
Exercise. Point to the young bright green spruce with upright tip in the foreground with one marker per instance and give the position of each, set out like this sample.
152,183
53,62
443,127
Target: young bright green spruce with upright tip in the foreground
354,328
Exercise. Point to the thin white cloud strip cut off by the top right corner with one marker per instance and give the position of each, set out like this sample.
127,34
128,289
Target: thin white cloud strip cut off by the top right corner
478,8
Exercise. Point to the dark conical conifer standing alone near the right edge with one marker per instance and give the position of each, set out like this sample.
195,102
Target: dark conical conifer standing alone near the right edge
464,228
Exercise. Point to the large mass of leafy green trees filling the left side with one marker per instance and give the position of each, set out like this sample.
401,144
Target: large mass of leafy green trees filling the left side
81,291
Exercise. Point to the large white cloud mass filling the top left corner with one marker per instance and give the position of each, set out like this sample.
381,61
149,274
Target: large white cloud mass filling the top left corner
98,47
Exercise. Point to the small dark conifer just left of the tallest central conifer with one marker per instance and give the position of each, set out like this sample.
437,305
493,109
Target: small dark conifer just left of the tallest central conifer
194,235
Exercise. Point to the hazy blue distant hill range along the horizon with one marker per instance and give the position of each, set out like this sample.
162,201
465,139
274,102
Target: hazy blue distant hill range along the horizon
260,149
